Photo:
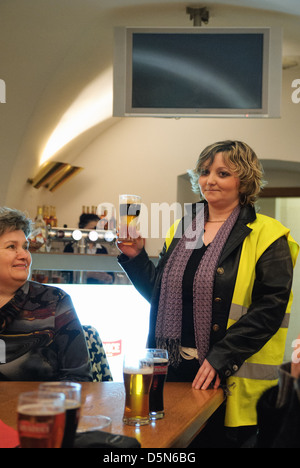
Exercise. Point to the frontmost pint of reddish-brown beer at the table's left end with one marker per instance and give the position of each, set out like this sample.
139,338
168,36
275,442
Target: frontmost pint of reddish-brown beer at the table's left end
41,419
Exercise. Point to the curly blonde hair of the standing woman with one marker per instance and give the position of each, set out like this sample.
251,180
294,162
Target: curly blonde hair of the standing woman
243,163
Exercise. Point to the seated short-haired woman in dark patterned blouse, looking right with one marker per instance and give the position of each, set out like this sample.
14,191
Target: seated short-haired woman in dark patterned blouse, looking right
39,328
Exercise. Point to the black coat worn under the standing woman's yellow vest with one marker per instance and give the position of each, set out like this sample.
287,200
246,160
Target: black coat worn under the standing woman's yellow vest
274,271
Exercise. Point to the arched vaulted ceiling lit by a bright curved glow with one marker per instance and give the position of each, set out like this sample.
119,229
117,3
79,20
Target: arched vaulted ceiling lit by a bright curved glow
56,61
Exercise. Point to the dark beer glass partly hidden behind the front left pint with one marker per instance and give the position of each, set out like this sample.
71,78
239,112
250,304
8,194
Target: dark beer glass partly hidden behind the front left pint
72,392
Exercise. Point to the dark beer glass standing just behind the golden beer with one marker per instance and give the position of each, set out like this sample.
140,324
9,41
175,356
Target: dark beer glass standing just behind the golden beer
156,397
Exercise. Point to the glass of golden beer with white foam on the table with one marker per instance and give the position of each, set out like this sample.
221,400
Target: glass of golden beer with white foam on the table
137,372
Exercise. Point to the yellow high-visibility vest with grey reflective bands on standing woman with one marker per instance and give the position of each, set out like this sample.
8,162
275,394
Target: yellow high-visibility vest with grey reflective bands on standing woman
260,371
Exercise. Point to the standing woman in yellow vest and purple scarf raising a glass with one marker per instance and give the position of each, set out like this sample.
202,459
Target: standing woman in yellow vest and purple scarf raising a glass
220,294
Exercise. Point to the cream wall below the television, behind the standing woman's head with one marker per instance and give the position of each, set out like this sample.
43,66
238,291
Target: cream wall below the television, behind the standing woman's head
145,156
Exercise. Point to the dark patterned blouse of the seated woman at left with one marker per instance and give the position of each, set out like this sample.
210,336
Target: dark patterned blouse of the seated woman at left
41,337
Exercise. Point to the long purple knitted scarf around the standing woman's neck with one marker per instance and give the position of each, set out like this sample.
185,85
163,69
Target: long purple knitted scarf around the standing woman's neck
169,316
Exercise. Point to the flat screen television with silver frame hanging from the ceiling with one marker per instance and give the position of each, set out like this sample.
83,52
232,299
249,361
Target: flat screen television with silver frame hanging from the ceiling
197,72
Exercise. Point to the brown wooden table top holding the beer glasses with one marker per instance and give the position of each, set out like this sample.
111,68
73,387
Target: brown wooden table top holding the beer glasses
186,410
